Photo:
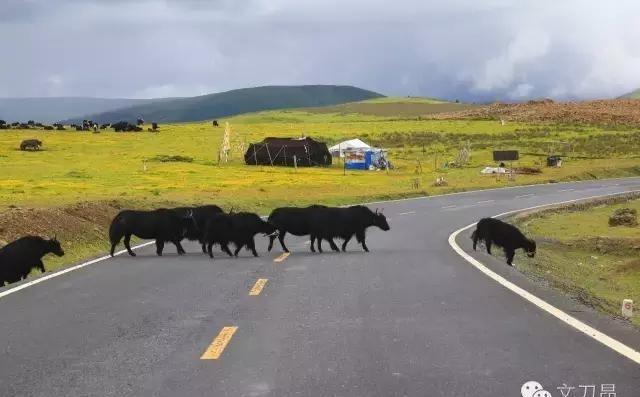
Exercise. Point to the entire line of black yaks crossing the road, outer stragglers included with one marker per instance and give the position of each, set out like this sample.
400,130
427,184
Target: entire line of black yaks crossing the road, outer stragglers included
209,225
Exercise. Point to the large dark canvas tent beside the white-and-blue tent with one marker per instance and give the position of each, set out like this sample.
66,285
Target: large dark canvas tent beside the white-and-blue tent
281,151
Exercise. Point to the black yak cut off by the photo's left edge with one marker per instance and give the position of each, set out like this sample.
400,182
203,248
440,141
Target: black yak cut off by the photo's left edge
18,258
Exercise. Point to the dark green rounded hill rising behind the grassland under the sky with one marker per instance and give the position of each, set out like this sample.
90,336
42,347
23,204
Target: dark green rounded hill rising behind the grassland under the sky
234,102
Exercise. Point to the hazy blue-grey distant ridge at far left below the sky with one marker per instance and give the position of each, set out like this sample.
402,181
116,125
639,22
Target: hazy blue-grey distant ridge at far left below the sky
48,110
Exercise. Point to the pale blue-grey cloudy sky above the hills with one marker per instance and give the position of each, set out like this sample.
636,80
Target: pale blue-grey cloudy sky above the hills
473,50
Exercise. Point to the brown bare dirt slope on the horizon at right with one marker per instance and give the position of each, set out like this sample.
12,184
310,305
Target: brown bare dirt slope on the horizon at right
600,112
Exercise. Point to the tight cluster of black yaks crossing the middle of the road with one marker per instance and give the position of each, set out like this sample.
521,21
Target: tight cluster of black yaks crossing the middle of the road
210,225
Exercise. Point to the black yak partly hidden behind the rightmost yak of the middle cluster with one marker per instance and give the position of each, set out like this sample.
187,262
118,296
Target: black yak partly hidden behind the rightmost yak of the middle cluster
291,220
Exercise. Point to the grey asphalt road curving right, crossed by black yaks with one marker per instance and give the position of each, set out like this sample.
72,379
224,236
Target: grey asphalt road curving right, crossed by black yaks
410,318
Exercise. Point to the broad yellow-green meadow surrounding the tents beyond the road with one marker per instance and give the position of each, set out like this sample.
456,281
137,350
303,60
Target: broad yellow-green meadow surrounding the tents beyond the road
113,170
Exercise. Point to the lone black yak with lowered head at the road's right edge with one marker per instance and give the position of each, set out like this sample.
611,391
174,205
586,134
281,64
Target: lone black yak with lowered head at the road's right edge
509,237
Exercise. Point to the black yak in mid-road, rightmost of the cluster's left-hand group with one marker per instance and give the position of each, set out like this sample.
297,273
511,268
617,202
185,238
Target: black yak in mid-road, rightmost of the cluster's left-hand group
238,228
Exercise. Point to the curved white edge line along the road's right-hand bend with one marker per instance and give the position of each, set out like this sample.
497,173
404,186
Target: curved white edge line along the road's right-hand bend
606,340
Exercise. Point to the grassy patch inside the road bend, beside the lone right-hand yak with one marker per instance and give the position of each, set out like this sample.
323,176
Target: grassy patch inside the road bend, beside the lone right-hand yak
579,253
